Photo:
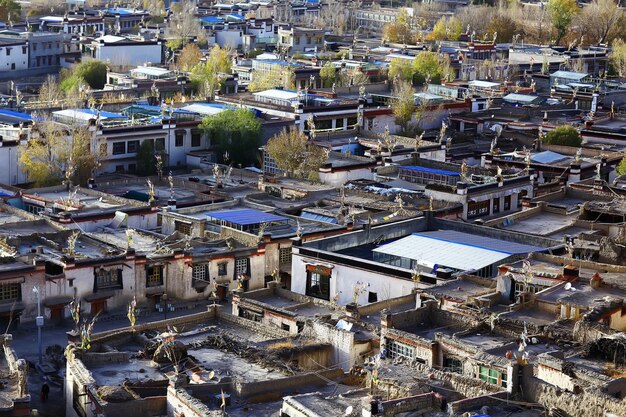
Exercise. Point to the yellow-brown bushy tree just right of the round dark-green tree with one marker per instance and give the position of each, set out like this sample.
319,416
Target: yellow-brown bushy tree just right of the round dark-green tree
295,155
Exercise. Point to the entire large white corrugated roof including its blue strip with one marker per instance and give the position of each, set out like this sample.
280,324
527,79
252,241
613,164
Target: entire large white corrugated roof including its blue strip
458,250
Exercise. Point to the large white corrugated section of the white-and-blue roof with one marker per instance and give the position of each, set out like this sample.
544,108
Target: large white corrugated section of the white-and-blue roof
428,251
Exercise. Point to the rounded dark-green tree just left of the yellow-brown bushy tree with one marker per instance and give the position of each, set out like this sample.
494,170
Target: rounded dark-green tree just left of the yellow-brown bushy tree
236,133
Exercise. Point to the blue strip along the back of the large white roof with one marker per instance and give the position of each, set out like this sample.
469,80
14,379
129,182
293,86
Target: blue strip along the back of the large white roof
480,241
